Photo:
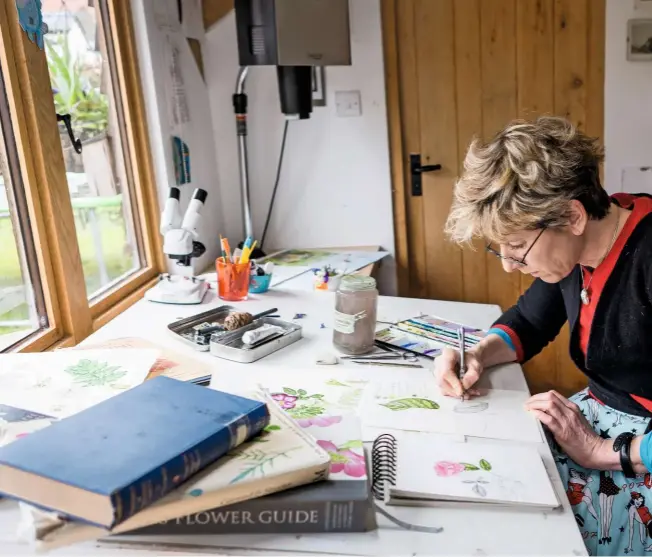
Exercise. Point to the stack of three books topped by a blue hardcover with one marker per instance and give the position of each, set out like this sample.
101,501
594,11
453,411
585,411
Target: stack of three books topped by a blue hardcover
171,457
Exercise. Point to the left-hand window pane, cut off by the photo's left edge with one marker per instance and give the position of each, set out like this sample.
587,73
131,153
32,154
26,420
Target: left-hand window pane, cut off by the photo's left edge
22,311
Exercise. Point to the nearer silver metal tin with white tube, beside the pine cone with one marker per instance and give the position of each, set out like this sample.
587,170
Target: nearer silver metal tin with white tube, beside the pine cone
229,345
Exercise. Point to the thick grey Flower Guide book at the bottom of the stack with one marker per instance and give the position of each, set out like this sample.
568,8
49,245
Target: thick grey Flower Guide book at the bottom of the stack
341,503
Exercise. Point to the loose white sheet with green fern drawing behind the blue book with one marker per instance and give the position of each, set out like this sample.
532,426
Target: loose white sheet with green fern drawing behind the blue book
64,382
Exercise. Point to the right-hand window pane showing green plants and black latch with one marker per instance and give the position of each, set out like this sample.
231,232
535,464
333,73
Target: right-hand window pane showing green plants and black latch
80,68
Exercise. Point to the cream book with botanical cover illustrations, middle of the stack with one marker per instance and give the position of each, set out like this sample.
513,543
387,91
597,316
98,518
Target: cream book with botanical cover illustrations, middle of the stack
283,457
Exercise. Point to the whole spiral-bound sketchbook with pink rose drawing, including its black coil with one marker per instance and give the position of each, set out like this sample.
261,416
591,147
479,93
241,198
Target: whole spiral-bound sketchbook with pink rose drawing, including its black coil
417,469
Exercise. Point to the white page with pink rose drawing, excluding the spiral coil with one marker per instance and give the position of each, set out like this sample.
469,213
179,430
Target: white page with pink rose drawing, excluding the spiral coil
434,467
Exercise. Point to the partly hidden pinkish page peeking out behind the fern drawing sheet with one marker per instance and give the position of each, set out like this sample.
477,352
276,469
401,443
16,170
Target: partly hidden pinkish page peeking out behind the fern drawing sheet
169,363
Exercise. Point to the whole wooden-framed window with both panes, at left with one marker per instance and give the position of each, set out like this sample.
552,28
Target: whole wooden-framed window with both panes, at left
79,238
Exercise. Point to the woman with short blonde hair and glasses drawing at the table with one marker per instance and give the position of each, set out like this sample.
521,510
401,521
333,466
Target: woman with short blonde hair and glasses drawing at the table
533,192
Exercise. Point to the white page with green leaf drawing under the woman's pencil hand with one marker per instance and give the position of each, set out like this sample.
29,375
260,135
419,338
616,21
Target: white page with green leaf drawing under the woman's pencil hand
411,405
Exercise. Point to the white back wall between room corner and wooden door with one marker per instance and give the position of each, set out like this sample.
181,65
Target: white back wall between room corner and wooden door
335,187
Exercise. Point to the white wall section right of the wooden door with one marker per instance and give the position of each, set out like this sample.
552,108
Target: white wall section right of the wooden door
628,101
